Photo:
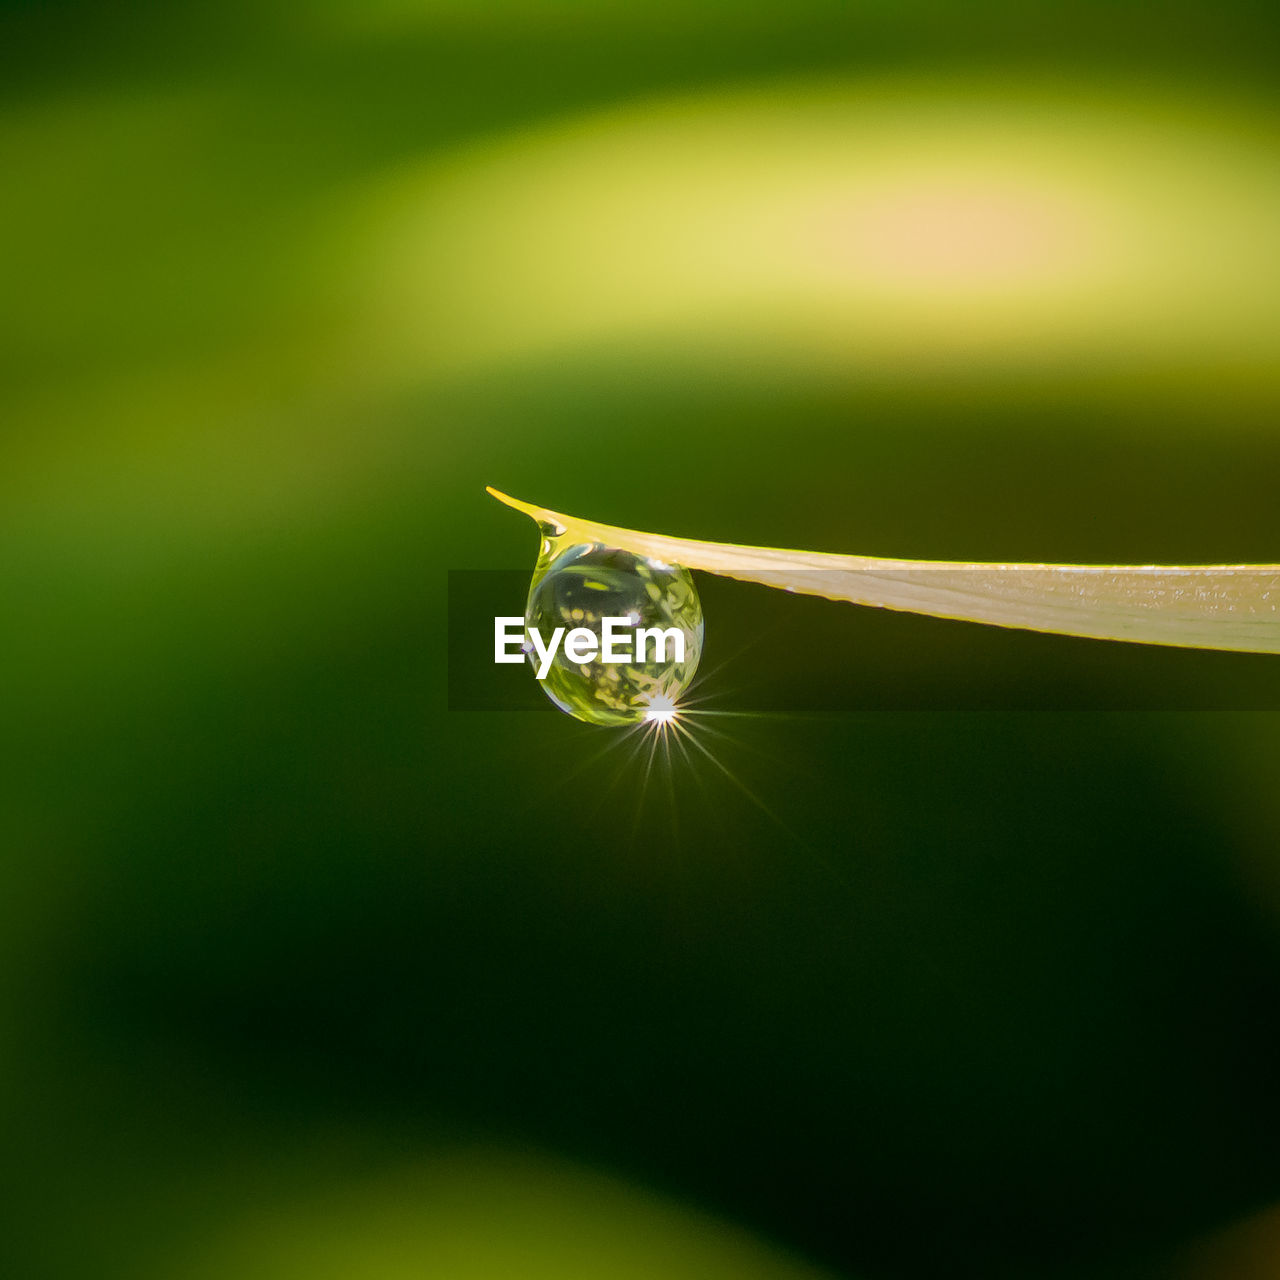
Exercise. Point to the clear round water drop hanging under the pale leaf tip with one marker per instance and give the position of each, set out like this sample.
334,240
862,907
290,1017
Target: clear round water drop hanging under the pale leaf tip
583,584
